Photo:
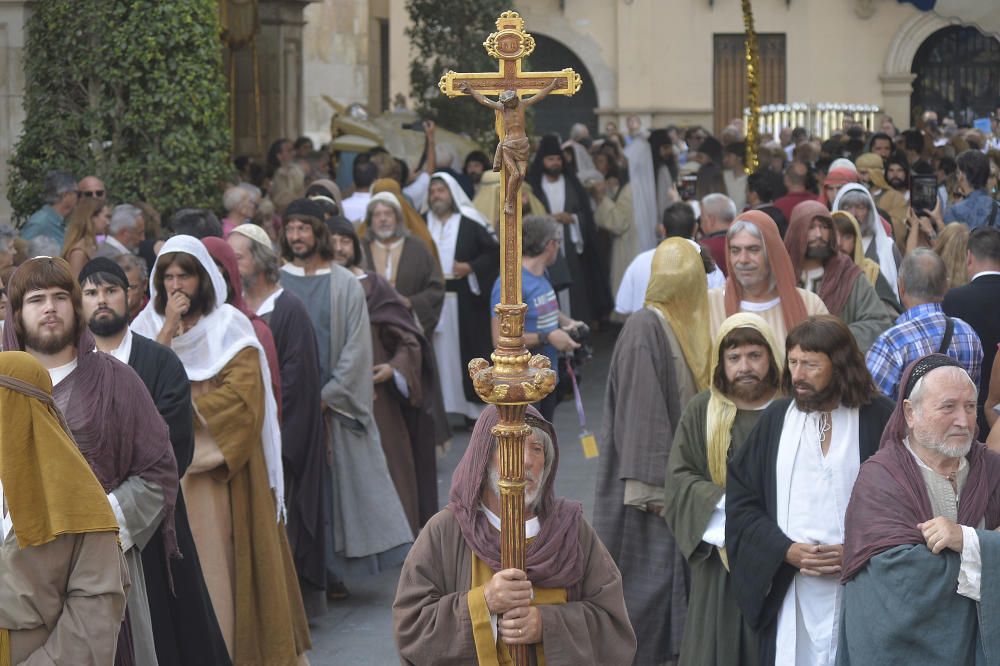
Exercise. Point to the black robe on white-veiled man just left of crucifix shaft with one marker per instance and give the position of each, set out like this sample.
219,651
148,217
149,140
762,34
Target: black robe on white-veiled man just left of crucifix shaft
476,247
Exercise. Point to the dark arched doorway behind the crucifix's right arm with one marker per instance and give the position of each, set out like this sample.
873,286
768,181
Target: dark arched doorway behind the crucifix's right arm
558,112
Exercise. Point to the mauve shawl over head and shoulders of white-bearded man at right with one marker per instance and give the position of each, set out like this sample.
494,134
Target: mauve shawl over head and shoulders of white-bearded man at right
890,496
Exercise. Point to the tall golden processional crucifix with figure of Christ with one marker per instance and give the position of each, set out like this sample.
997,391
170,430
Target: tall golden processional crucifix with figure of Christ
517,378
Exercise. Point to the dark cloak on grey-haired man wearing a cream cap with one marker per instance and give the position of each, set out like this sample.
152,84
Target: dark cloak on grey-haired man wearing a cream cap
303,441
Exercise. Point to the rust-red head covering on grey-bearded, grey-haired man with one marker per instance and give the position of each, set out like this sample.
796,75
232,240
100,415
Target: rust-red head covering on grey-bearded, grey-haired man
793,309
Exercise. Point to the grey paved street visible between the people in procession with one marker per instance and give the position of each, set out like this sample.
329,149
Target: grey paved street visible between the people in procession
358,631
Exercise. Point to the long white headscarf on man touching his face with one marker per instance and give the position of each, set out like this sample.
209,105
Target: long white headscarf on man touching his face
210,344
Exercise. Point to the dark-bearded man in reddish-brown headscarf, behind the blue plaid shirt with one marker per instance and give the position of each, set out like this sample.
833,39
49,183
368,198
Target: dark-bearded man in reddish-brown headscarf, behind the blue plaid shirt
823,270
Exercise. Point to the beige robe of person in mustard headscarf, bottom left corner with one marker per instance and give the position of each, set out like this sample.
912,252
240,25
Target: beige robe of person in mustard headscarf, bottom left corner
63,601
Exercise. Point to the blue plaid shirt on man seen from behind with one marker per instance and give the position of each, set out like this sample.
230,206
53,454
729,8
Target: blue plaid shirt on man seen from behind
919,331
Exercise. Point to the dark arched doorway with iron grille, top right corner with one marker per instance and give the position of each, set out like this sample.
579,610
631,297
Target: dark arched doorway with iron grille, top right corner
957,73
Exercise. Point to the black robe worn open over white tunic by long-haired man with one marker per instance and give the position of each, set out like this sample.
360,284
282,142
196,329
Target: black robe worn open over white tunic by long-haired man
756,545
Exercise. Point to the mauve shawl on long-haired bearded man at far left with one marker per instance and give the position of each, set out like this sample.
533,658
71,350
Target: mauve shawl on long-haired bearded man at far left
116,426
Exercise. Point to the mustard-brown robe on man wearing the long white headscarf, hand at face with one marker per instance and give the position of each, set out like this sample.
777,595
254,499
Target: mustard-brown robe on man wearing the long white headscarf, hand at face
243,549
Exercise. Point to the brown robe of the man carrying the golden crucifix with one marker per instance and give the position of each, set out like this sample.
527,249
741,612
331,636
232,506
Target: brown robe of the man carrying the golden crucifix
431,619
